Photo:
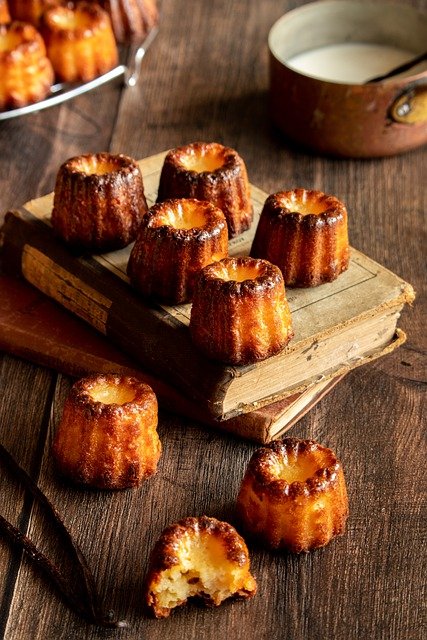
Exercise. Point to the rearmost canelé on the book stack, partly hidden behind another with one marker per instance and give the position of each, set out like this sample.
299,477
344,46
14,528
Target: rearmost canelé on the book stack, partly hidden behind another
209,171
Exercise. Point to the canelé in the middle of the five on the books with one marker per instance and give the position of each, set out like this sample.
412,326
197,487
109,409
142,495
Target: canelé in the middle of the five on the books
176,240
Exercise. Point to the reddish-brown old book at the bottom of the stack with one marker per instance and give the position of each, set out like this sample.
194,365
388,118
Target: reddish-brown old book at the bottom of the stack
35,328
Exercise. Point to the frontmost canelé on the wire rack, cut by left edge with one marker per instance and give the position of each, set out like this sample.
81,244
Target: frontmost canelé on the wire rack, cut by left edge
26,74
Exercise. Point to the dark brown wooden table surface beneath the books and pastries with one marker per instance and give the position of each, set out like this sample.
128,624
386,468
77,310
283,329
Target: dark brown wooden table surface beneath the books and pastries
205,78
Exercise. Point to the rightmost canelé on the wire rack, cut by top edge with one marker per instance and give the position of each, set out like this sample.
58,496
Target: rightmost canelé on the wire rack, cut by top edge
132,20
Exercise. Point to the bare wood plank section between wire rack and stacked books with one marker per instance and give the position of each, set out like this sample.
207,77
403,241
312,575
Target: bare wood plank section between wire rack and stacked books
34,146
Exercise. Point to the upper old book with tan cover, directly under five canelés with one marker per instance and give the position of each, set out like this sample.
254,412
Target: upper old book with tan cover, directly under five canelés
338,326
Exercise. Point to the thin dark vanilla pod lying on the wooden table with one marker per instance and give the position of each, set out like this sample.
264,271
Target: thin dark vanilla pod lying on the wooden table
88,608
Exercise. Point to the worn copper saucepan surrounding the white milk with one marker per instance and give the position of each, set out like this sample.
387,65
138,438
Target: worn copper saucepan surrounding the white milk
367,119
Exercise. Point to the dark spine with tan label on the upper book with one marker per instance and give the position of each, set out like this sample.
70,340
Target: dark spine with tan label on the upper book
82,286
